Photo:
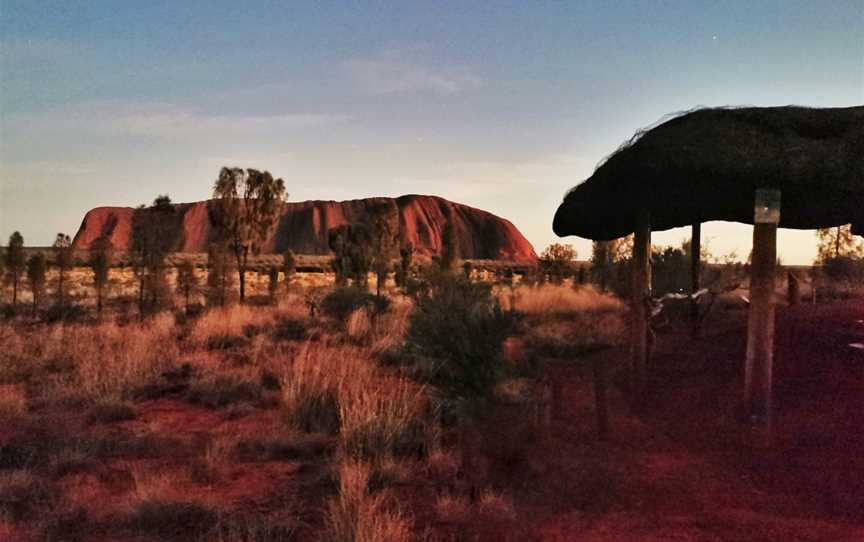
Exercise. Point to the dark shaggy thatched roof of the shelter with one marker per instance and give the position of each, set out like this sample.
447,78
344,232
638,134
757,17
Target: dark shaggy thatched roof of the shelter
706,165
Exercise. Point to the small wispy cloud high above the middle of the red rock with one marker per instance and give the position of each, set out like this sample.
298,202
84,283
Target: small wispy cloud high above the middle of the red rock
398,71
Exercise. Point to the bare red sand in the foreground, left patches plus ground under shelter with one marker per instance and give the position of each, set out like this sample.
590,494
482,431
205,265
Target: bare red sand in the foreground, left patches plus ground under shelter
684,471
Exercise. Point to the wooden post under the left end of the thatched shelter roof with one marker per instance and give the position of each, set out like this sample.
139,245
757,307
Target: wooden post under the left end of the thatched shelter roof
641,292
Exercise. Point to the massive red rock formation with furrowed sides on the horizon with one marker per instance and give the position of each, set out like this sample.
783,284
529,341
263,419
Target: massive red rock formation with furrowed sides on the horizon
303,227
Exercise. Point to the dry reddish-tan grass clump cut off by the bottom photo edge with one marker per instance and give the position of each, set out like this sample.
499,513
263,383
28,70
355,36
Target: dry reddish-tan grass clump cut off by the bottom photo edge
357,515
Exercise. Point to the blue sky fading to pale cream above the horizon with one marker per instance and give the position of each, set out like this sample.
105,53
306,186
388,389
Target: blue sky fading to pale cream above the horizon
500,105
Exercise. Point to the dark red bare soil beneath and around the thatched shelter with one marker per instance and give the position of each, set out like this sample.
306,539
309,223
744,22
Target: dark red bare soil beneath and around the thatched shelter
686,470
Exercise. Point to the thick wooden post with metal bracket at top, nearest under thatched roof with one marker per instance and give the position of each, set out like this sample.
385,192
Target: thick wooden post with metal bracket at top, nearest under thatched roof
760,324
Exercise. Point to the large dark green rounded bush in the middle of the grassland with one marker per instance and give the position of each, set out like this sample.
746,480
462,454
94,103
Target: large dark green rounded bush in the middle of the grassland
459,327
